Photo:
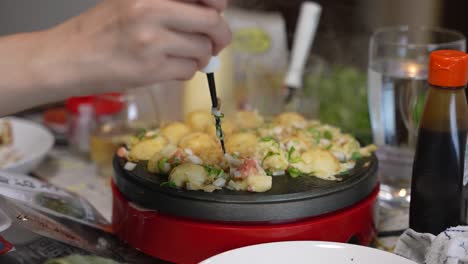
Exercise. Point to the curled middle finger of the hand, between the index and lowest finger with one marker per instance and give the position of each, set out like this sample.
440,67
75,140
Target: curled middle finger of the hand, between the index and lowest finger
188,45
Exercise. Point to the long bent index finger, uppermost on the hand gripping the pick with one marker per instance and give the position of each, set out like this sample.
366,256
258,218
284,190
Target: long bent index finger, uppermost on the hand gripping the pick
196,19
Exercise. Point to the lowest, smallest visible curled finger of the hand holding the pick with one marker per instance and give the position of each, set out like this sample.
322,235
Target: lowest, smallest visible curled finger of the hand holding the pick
178,68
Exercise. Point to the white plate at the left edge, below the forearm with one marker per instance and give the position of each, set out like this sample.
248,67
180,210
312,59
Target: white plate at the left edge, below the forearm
31,143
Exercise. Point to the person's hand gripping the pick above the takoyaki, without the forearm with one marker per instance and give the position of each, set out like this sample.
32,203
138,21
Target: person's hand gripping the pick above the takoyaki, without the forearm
122,43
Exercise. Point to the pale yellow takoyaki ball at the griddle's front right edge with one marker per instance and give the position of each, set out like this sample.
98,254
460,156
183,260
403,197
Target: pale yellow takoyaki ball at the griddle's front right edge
319,162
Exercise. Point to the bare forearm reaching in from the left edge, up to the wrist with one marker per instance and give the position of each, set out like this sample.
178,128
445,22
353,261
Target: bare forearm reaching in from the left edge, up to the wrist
31,73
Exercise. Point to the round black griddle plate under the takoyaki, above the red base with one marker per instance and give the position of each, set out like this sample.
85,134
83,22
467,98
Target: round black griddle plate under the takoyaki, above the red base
290,199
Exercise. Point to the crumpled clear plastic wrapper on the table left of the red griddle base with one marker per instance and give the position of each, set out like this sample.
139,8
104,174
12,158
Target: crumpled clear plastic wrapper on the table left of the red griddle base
44,222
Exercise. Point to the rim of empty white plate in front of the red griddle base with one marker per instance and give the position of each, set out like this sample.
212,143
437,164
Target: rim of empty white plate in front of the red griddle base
307,252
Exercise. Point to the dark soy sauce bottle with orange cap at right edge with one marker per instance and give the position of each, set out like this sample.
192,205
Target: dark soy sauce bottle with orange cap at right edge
437,187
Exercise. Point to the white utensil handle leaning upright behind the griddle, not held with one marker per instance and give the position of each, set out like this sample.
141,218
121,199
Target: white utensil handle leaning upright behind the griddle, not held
305,33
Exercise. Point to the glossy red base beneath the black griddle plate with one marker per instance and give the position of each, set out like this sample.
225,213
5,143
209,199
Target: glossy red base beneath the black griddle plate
182,240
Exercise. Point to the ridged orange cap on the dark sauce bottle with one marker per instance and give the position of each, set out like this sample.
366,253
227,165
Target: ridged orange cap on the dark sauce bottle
448,68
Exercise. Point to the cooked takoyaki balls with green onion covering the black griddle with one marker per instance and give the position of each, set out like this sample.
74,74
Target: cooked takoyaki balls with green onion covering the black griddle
257,148
